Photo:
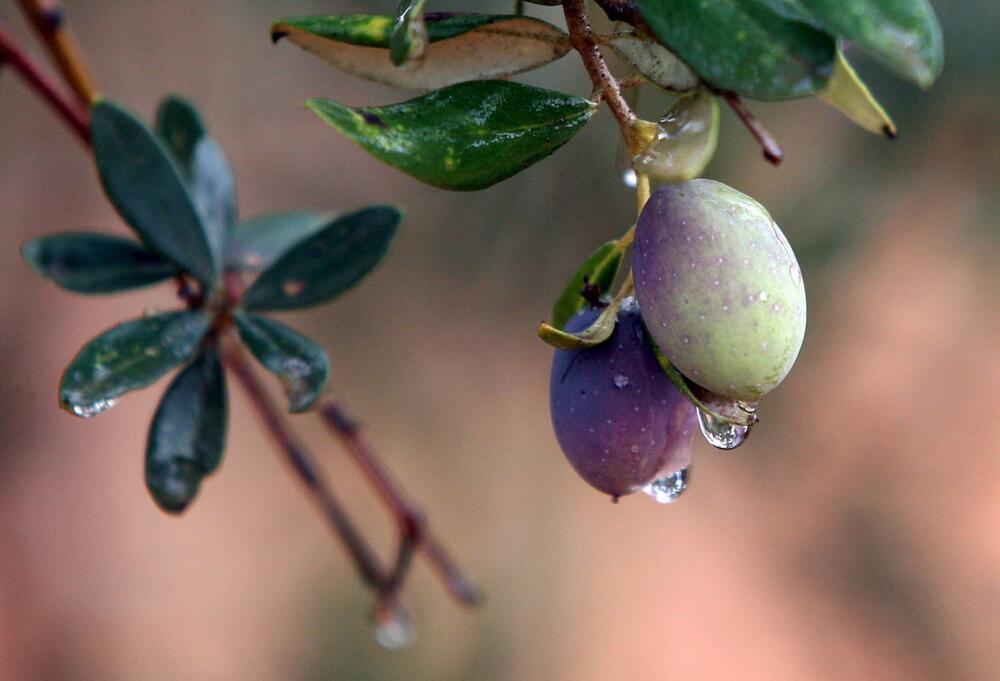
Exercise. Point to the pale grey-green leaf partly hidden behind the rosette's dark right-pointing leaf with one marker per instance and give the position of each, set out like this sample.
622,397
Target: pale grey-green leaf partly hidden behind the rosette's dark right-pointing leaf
260,241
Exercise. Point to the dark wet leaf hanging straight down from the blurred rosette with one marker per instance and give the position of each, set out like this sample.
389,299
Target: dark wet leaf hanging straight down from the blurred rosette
188,433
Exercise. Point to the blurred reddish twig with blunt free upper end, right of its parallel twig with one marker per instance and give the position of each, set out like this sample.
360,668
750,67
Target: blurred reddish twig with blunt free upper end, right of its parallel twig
411,519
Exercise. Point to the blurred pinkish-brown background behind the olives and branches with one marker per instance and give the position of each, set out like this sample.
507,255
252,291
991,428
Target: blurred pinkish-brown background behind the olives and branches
855,536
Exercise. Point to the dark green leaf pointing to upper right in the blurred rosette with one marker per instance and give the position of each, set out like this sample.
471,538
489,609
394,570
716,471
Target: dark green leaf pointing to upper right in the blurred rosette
327,263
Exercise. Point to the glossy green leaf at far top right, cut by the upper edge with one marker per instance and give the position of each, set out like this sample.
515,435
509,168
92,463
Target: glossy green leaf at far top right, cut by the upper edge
904,34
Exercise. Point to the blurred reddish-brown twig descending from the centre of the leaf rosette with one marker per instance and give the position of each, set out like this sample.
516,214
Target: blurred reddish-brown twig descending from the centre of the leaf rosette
304,466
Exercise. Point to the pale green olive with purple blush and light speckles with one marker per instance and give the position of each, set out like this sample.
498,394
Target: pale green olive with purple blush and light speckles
719,287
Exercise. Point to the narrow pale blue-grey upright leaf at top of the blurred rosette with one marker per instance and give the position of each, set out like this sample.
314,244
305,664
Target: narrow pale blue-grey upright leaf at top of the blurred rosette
213,191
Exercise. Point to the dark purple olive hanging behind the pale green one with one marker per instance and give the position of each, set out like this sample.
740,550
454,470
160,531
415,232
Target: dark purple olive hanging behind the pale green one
619,420
